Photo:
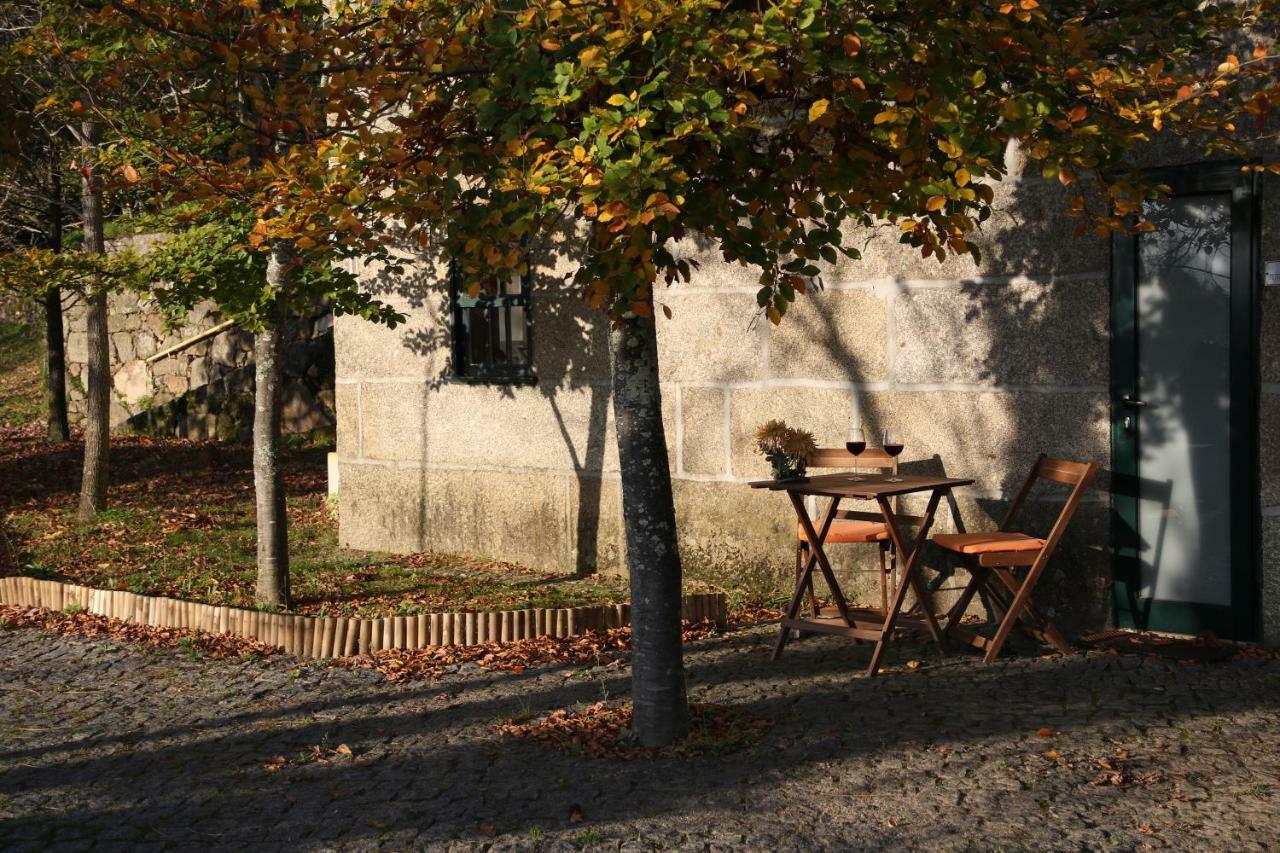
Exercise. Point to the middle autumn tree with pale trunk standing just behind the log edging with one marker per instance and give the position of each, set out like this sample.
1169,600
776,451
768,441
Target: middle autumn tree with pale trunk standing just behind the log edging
240,98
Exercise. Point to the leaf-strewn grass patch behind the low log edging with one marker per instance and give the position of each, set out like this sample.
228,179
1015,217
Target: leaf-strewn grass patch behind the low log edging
181,523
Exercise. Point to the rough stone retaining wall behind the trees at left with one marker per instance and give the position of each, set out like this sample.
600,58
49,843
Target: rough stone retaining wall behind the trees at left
207,390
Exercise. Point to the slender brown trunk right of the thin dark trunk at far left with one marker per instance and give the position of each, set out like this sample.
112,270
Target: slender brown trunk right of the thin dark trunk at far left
98,393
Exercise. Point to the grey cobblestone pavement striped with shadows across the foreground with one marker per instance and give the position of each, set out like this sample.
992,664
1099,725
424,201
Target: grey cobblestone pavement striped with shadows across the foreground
107,746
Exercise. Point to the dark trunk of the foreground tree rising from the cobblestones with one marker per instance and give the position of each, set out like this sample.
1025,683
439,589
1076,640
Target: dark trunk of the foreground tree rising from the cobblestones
657,654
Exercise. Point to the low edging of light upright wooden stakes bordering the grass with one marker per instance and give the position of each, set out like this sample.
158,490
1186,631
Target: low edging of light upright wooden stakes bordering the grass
324,637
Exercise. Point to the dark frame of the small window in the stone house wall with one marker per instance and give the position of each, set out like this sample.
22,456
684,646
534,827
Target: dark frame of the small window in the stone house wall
491,373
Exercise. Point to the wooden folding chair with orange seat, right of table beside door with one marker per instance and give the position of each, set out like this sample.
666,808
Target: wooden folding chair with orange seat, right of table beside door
994,556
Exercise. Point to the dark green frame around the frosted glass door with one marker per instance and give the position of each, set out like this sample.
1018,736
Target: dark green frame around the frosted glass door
1242,618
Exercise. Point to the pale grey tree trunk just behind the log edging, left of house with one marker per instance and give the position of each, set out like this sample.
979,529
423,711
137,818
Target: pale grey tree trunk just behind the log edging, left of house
273,536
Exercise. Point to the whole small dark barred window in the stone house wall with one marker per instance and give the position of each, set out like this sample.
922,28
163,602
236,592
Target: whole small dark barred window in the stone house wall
492,332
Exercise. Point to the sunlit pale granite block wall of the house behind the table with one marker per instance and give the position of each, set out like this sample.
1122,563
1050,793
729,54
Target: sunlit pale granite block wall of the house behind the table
980,366
